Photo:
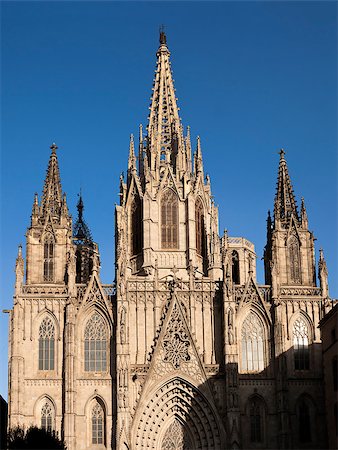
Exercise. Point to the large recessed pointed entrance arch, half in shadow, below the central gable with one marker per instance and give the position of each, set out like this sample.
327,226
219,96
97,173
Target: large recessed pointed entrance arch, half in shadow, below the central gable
177,416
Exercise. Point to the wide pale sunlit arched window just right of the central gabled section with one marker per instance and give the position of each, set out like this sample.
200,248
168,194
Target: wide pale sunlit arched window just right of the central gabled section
252,337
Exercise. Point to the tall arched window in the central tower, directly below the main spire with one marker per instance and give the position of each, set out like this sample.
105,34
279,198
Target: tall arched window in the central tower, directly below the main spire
169,220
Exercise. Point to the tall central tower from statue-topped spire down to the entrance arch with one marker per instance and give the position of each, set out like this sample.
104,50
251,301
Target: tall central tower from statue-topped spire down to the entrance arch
168,267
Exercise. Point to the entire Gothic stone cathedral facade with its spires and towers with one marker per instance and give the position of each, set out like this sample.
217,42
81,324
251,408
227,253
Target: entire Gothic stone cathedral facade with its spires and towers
185,350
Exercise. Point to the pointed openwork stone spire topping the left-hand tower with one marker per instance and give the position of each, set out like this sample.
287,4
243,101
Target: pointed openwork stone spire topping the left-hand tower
52,192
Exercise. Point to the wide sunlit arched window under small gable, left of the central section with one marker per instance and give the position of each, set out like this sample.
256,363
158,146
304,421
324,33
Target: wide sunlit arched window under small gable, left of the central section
95,344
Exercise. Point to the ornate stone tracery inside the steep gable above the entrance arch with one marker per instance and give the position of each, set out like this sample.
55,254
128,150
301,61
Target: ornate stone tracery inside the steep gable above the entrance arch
176,342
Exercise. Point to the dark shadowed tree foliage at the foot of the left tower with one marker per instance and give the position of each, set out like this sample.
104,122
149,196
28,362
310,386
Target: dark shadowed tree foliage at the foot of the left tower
34,438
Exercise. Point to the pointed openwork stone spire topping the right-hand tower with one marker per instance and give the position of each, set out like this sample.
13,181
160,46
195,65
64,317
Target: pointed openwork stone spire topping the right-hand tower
285,203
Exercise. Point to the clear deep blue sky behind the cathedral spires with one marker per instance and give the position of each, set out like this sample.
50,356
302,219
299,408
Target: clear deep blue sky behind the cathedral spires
251,77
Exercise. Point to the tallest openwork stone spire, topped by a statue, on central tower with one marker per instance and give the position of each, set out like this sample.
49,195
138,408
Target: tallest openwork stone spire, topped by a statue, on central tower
165,142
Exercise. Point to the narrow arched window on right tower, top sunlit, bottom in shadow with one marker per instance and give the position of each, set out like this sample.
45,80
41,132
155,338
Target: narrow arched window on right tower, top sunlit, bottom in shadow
301,345
